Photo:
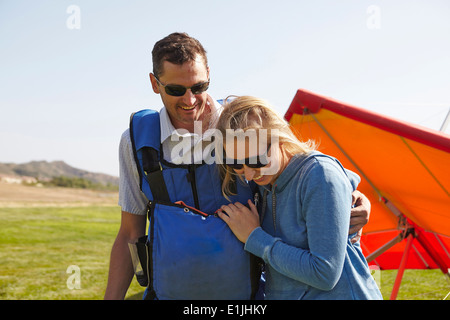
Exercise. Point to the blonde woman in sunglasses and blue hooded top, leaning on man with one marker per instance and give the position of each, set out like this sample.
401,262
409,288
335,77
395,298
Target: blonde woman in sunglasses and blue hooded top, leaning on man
302,235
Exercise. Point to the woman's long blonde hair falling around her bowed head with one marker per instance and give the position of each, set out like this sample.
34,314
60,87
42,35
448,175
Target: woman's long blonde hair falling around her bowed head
248,112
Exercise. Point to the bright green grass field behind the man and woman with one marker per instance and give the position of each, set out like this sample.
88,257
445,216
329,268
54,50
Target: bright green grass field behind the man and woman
37,245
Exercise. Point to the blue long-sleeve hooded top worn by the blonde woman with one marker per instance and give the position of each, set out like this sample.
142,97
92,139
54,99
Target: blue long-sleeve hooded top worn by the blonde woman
303,238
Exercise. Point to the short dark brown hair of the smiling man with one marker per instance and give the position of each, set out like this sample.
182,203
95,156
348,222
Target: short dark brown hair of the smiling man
176,48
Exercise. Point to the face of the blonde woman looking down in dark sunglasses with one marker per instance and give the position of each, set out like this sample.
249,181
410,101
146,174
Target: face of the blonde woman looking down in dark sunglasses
248,156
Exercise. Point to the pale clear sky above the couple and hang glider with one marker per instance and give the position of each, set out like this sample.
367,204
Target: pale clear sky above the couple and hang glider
72,72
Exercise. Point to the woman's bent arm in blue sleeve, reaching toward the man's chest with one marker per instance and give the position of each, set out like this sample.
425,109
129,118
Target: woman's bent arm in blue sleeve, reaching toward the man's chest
325,201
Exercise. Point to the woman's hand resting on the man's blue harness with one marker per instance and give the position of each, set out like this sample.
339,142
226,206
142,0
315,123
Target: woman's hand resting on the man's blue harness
241,220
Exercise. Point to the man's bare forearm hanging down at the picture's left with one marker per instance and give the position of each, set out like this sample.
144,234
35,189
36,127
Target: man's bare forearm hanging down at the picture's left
120,267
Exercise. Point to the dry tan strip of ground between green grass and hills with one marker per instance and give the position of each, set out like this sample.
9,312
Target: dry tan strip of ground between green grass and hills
16,195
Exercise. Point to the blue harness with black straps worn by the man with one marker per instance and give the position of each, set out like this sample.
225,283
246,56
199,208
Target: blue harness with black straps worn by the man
191,253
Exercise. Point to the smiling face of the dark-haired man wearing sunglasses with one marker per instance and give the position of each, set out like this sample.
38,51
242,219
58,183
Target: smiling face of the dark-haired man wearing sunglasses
186,109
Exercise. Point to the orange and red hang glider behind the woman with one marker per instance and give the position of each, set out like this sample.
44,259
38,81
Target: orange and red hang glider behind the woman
405,173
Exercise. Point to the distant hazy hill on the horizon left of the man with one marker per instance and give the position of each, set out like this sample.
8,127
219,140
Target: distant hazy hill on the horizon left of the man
44,170
